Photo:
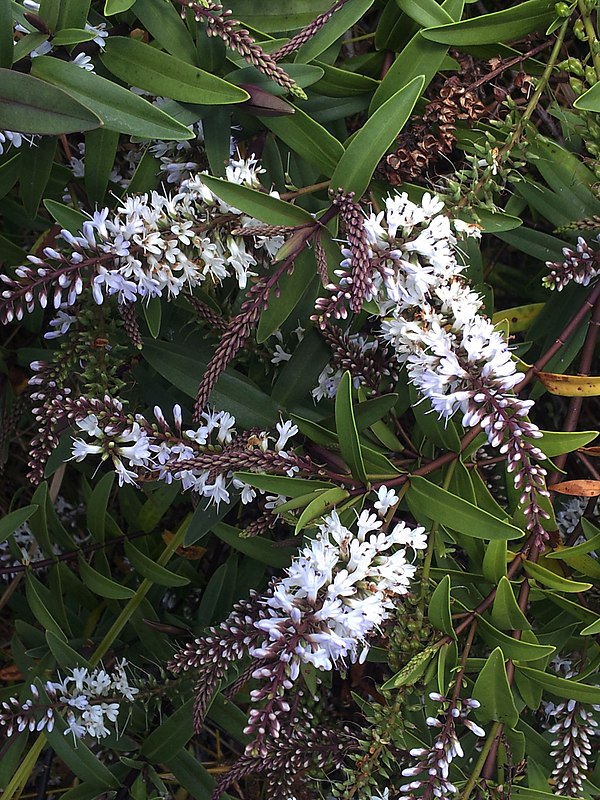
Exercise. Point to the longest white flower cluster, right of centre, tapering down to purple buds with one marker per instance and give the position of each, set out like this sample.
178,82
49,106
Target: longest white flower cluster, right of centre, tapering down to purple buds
452,353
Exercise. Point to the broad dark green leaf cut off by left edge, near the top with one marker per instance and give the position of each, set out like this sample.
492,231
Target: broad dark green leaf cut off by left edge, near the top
30,105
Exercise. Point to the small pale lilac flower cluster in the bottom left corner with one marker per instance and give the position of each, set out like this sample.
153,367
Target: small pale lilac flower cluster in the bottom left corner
89,700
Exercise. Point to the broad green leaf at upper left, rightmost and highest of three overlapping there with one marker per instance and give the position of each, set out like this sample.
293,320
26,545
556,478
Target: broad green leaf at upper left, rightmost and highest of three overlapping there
162,74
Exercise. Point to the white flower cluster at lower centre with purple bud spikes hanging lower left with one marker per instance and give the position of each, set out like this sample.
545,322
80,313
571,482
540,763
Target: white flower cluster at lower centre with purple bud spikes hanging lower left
337,593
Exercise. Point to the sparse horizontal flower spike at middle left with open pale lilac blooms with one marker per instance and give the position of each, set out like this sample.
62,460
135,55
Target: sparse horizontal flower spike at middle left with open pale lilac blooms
202,458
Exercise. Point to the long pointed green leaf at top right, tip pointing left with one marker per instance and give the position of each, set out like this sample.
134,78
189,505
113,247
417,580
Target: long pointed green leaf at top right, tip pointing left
500,26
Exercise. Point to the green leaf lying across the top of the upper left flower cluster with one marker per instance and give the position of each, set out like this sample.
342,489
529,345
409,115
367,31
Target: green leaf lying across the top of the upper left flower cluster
258,204
